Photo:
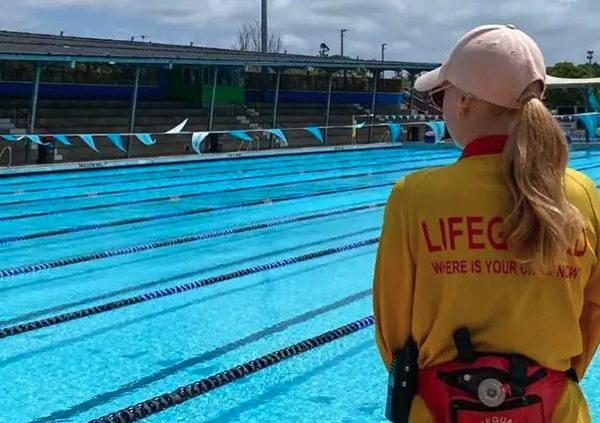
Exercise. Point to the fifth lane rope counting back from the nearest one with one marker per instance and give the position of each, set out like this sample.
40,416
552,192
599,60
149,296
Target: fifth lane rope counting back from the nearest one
208,193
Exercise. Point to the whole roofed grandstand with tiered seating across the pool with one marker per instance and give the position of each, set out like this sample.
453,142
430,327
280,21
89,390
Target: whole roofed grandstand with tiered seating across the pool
69,85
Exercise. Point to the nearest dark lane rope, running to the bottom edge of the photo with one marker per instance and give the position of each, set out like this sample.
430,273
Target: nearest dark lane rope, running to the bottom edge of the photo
185,393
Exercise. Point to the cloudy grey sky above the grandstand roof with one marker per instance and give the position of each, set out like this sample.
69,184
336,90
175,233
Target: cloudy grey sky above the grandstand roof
414,30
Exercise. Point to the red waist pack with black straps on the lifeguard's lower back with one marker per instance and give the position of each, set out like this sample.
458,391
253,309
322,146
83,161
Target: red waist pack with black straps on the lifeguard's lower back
491,389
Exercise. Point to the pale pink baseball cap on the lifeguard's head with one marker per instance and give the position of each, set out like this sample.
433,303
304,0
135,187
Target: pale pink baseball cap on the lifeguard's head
494,63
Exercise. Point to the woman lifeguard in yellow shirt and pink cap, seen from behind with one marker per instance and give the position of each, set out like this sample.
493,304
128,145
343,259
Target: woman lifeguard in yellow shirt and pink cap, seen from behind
487,279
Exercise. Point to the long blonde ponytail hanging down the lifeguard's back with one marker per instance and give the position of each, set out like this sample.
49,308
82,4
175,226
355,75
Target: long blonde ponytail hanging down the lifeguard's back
543,224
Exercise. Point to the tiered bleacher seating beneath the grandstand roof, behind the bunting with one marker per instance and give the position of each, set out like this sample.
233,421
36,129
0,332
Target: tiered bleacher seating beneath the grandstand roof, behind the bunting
98,117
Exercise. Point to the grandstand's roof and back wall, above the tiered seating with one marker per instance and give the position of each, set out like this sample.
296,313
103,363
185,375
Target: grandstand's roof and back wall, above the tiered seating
87,68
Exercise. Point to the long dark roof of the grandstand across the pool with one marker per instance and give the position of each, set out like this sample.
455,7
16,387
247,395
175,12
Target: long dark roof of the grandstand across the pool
56,48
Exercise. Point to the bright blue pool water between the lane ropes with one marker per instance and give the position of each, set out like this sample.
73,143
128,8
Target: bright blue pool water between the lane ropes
88,367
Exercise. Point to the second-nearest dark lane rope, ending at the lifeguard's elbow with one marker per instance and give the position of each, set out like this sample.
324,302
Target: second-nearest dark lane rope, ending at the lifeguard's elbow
161,293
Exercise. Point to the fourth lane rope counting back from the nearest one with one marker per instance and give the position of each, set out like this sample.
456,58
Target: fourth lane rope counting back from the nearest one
171,215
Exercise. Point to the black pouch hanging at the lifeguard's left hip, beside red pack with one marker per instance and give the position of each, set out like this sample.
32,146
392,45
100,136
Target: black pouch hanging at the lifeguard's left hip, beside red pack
402,383
